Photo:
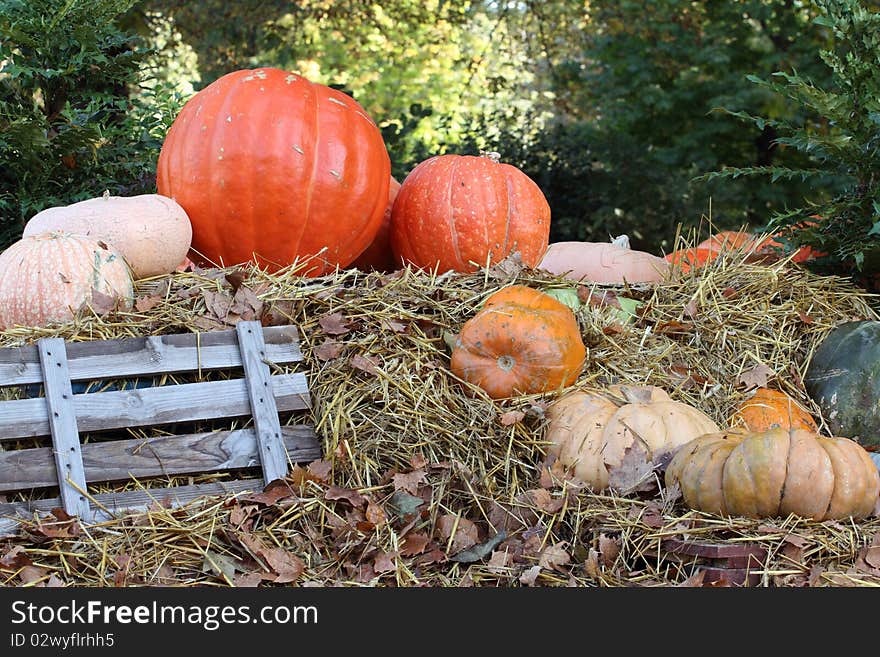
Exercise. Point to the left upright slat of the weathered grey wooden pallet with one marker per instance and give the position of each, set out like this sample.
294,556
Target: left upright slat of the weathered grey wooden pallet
70,474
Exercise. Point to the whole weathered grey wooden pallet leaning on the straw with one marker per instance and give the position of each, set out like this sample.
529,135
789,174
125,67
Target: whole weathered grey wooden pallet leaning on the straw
63,415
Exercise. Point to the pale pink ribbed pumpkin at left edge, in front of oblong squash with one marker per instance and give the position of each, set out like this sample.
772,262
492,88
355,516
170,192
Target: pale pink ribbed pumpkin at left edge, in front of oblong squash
47,278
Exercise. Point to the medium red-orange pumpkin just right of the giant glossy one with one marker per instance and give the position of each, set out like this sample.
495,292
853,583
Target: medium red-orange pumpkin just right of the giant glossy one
461,212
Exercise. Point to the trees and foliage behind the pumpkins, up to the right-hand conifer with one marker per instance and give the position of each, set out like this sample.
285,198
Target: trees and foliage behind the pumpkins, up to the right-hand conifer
616,108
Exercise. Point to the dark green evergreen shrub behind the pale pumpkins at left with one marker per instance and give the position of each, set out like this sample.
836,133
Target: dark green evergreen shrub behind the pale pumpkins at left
68,128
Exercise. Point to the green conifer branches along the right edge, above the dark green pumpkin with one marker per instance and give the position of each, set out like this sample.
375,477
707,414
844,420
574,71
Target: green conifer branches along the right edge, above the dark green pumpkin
841,137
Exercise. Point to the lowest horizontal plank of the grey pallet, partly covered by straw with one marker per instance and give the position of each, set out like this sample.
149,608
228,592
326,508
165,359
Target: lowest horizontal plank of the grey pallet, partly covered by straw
137,500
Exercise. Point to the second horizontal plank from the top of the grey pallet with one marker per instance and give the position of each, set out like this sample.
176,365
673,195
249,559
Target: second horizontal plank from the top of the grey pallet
25,418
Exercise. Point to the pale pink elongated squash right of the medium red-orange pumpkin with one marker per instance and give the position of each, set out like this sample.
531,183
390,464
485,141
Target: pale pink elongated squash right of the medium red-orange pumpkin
604,263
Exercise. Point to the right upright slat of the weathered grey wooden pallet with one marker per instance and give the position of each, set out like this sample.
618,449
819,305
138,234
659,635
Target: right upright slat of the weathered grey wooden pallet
273,458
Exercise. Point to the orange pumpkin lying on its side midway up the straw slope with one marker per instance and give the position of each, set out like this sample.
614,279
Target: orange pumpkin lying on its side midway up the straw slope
522,341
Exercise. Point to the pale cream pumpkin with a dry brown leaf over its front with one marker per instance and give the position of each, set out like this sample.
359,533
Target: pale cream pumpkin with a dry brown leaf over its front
590,431
